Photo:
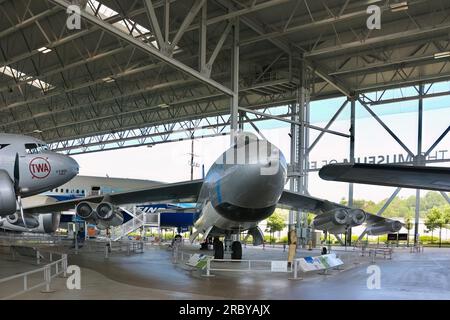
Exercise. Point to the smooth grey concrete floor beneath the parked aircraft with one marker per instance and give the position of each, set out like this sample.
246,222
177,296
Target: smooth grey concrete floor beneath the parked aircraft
152,275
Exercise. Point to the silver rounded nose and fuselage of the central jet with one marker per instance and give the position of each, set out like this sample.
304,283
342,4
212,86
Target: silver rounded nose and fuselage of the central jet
242,187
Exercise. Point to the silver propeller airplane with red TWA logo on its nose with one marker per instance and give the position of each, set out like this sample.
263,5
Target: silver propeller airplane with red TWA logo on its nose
28,168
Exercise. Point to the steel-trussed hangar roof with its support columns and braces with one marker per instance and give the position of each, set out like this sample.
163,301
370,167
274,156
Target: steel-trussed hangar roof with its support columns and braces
145,72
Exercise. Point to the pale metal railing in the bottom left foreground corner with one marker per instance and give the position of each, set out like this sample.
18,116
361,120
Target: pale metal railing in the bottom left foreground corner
45,273
